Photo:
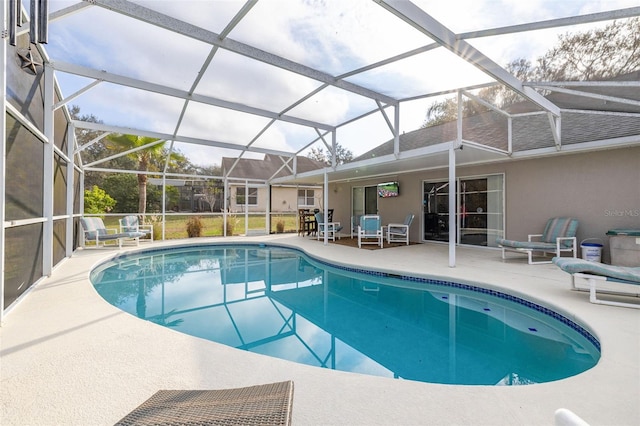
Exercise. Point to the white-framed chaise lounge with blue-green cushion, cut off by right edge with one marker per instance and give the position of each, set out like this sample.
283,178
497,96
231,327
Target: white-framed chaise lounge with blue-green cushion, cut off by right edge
596,274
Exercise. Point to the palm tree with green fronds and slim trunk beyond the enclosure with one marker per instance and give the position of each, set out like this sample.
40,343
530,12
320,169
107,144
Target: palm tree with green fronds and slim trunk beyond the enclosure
144,157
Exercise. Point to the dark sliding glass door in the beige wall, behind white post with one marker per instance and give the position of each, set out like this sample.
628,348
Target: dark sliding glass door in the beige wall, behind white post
479,210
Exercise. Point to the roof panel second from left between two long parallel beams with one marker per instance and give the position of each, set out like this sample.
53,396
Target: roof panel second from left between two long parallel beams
236,78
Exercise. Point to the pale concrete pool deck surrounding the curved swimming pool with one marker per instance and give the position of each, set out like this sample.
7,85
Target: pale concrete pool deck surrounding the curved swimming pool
67,357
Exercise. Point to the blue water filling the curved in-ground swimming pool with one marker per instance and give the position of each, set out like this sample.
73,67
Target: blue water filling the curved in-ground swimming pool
279,302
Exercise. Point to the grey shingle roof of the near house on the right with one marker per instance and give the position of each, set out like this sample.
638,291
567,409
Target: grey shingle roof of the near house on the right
584,119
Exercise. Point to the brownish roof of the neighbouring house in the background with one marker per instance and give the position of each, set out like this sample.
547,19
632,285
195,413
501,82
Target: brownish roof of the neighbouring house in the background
268,168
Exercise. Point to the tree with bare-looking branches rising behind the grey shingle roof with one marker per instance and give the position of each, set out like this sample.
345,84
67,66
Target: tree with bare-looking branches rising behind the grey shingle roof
595,54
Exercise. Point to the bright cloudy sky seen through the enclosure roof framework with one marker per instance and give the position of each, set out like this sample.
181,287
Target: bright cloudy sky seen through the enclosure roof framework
333,36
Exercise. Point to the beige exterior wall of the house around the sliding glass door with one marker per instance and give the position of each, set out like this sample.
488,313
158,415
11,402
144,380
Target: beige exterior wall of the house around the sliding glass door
600,188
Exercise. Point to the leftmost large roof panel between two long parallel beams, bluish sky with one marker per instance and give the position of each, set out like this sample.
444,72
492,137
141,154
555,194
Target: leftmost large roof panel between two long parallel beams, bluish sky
99,39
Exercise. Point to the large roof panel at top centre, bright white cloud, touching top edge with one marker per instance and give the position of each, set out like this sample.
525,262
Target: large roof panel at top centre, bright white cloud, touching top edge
334,36
